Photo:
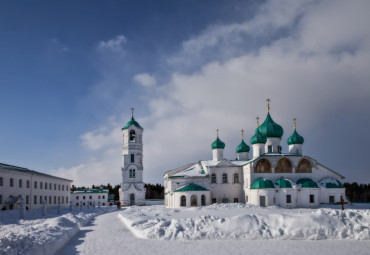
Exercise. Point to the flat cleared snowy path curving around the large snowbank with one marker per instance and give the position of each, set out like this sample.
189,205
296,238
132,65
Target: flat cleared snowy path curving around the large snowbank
106,234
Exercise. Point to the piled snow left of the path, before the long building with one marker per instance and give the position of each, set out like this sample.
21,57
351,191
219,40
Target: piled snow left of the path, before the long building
42,235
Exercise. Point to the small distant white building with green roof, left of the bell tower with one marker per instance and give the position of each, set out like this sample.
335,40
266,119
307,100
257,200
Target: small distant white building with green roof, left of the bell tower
88,198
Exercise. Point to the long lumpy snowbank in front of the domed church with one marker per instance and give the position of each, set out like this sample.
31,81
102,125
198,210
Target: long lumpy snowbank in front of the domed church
239,221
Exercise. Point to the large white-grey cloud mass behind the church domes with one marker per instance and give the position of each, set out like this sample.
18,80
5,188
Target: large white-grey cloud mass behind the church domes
312,73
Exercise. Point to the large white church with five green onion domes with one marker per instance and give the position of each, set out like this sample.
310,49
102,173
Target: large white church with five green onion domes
269,177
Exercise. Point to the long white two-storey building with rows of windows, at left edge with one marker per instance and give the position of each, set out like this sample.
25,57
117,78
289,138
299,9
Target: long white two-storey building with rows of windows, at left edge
18,183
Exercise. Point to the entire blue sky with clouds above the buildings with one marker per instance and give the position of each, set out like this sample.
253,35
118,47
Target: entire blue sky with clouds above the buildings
71,70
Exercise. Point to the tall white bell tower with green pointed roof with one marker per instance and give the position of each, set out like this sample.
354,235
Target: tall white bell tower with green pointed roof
132,191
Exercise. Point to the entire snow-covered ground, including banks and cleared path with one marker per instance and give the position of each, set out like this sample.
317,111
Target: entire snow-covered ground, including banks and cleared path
217,229
